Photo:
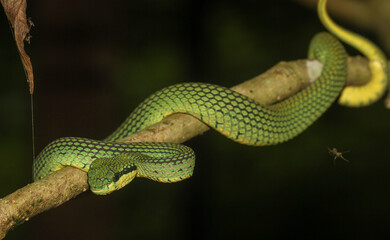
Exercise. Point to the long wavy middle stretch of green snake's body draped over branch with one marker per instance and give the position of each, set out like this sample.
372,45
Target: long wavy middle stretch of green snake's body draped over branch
241,118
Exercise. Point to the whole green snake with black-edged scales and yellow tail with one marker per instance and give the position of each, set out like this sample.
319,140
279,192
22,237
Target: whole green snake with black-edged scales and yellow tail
111,165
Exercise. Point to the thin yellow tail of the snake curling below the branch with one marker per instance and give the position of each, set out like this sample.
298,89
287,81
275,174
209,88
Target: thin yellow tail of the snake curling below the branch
359,96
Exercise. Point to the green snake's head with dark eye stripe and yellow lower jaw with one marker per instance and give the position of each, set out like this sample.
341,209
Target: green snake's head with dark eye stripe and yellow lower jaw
109,174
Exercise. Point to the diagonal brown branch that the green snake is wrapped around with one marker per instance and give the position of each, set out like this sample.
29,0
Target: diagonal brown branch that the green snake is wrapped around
281,81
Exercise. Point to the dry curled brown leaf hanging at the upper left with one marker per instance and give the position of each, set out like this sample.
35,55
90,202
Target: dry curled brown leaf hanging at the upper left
16,14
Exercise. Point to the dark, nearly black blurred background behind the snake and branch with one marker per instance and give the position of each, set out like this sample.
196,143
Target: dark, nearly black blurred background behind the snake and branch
94,61
